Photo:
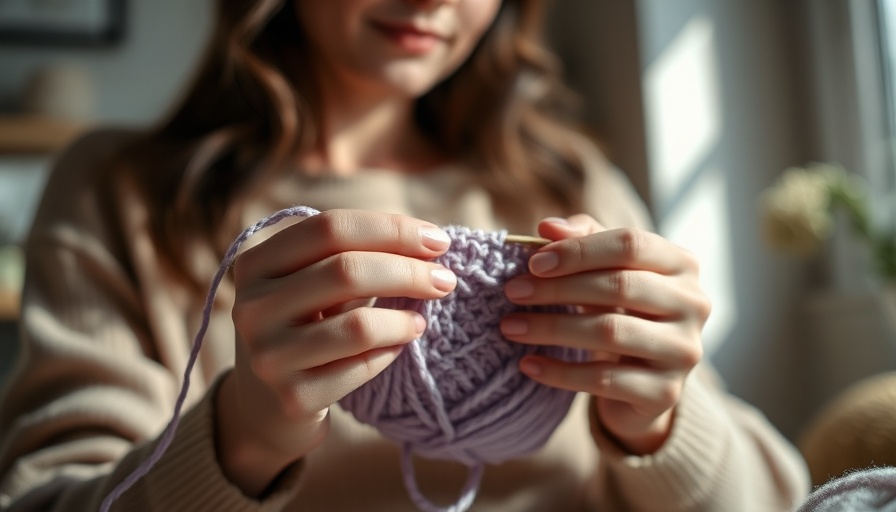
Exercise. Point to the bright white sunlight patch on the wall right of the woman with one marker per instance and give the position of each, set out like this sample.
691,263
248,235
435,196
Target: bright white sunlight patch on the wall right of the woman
684,128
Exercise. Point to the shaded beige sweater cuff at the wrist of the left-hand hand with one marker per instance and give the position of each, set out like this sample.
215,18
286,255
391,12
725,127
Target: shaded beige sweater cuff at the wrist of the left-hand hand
189,477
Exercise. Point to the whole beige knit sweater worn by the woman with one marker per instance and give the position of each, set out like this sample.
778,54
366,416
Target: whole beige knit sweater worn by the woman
107,334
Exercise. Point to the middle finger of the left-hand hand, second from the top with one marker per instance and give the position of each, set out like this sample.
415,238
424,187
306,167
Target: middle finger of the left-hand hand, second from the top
341,278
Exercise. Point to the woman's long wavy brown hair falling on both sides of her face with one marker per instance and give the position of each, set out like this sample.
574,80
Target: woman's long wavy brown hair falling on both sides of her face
244,114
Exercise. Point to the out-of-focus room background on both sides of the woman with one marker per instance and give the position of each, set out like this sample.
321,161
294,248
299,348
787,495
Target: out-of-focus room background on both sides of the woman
703,103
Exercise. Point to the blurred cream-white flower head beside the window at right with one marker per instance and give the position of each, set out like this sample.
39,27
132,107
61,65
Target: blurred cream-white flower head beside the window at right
796,211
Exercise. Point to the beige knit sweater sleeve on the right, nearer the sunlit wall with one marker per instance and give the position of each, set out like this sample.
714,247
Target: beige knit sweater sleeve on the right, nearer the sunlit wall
722,454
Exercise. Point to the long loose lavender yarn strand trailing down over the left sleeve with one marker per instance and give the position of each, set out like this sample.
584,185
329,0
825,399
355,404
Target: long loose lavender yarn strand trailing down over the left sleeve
168,433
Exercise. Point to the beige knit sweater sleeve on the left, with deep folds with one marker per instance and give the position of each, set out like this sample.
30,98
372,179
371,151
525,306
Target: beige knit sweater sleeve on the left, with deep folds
95,383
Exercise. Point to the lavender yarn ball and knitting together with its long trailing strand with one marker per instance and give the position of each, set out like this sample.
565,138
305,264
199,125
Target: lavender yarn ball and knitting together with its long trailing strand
455,393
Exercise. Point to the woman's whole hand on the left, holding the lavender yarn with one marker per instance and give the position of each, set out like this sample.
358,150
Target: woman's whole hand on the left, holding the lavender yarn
307,334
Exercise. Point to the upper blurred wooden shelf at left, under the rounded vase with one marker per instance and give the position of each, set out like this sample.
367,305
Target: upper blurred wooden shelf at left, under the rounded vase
25,134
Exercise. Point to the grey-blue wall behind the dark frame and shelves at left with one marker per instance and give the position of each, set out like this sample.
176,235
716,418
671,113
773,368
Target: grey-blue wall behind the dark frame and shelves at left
135,81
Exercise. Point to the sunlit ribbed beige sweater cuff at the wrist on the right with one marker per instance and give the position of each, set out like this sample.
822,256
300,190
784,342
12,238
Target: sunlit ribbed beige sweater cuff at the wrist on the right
687,469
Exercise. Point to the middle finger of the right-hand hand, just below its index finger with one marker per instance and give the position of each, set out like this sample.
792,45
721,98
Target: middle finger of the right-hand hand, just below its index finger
647,293
